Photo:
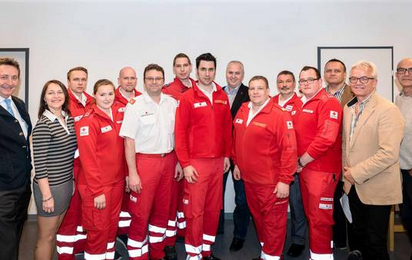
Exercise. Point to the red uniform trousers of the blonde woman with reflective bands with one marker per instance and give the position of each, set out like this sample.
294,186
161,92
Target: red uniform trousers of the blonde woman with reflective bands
101,224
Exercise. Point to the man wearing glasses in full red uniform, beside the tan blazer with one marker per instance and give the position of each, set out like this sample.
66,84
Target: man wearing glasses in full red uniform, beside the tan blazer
318,126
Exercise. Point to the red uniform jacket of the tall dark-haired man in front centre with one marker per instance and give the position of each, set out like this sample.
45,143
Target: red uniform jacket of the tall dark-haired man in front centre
202,129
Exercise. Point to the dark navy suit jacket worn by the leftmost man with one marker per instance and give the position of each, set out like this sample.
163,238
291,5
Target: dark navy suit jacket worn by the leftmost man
15,159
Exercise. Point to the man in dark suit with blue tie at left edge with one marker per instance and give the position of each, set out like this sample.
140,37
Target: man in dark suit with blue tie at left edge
15,161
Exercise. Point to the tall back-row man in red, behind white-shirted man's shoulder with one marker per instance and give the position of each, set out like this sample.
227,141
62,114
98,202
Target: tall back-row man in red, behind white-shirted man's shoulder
182,67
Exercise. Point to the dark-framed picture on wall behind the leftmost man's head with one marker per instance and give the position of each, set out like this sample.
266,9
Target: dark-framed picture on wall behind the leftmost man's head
21,55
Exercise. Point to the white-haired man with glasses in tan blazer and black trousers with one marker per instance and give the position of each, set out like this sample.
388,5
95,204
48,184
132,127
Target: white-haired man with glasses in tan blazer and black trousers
372,134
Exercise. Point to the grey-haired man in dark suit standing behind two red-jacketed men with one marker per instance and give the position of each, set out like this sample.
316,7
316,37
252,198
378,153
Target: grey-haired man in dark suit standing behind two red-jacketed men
237,94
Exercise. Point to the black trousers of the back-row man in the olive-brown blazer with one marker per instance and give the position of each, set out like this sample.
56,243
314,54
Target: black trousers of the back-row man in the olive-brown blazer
342,226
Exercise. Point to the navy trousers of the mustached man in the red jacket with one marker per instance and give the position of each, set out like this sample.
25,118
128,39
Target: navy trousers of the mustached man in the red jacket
297,214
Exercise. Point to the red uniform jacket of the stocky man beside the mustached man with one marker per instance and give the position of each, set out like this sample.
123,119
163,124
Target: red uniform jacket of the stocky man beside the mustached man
265,150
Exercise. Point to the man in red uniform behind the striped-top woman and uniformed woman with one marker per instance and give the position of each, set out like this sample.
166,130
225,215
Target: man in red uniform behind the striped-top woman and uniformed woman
71,237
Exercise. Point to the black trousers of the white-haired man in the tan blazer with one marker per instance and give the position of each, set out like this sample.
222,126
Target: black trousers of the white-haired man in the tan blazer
370,228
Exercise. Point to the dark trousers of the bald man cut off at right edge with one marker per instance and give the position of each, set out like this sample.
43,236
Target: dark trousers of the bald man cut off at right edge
406,206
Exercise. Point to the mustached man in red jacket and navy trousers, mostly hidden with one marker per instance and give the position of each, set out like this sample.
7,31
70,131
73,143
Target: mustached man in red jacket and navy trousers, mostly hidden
288,99
